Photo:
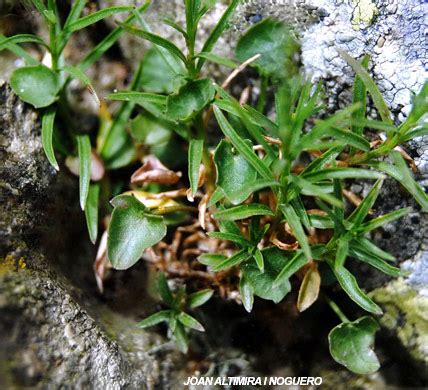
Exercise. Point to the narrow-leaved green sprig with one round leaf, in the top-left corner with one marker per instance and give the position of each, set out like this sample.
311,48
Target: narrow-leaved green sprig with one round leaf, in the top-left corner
44,86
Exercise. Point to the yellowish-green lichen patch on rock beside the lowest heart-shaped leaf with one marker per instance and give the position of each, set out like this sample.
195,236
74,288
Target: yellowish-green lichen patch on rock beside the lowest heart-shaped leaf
406,314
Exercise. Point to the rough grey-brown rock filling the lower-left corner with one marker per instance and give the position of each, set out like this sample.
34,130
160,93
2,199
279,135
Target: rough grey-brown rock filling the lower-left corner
47,338
